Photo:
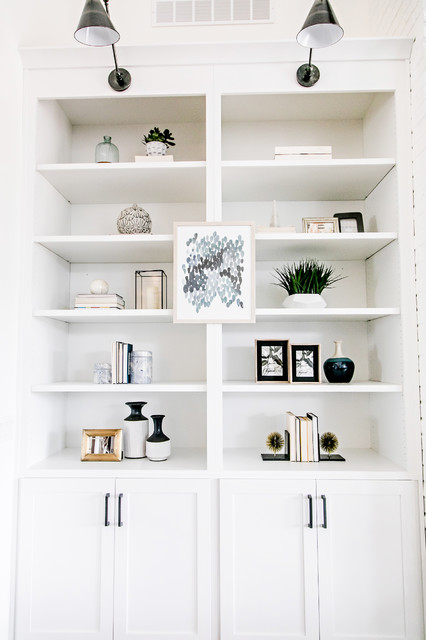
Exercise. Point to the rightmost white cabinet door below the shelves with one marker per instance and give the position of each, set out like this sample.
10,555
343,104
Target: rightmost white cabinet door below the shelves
369,561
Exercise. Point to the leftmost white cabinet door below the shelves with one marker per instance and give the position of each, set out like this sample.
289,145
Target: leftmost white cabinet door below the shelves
65,566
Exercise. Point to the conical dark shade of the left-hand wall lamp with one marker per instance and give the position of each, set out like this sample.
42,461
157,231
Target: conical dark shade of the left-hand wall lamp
95,27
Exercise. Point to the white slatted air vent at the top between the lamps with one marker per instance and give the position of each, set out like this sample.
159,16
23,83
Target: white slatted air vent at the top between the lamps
210,12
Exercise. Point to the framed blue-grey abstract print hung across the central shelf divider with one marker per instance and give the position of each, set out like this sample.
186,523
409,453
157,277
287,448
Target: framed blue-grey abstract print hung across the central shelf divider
214,272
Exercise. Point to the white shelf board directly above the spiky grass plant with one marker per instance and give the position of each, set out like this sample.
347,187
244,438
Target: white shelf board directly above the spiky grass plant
324,246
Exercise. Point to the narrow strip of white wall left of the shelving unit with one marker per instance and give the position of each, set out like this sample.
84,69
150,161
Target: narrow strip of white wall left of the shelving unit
10,189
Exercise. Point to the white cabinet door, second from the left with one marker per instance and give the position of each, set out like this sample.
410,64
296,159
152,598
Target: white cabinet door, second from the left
162,576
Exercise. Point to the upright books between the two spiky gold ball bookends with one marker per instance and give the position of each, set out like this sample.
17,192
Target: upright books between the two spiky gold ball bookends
303,437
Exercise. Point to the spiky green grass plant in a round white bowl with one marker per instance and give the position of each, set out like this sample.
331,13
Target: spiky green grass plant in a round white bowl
304,282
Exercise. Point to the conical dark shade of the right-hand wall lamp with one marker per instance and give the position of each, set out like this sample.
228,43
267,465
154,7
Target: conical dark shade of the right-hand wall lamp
321,28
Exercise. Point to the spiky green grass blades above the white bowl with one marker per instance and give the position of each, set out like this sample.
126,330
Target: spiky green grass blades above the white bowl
306,276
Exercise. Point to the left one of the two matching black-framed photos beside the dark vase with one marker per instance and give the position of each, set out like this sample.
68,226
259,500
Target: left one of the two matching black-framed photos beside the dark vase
272,361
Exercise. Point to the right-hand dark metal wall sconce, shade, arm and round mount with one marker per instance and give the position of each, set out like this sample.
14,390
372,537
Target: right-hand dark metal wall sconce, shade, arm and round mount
321,29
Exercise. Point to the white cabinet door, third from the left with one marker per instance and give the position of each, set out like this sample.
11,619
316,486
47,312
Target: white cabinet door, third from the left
269,586
